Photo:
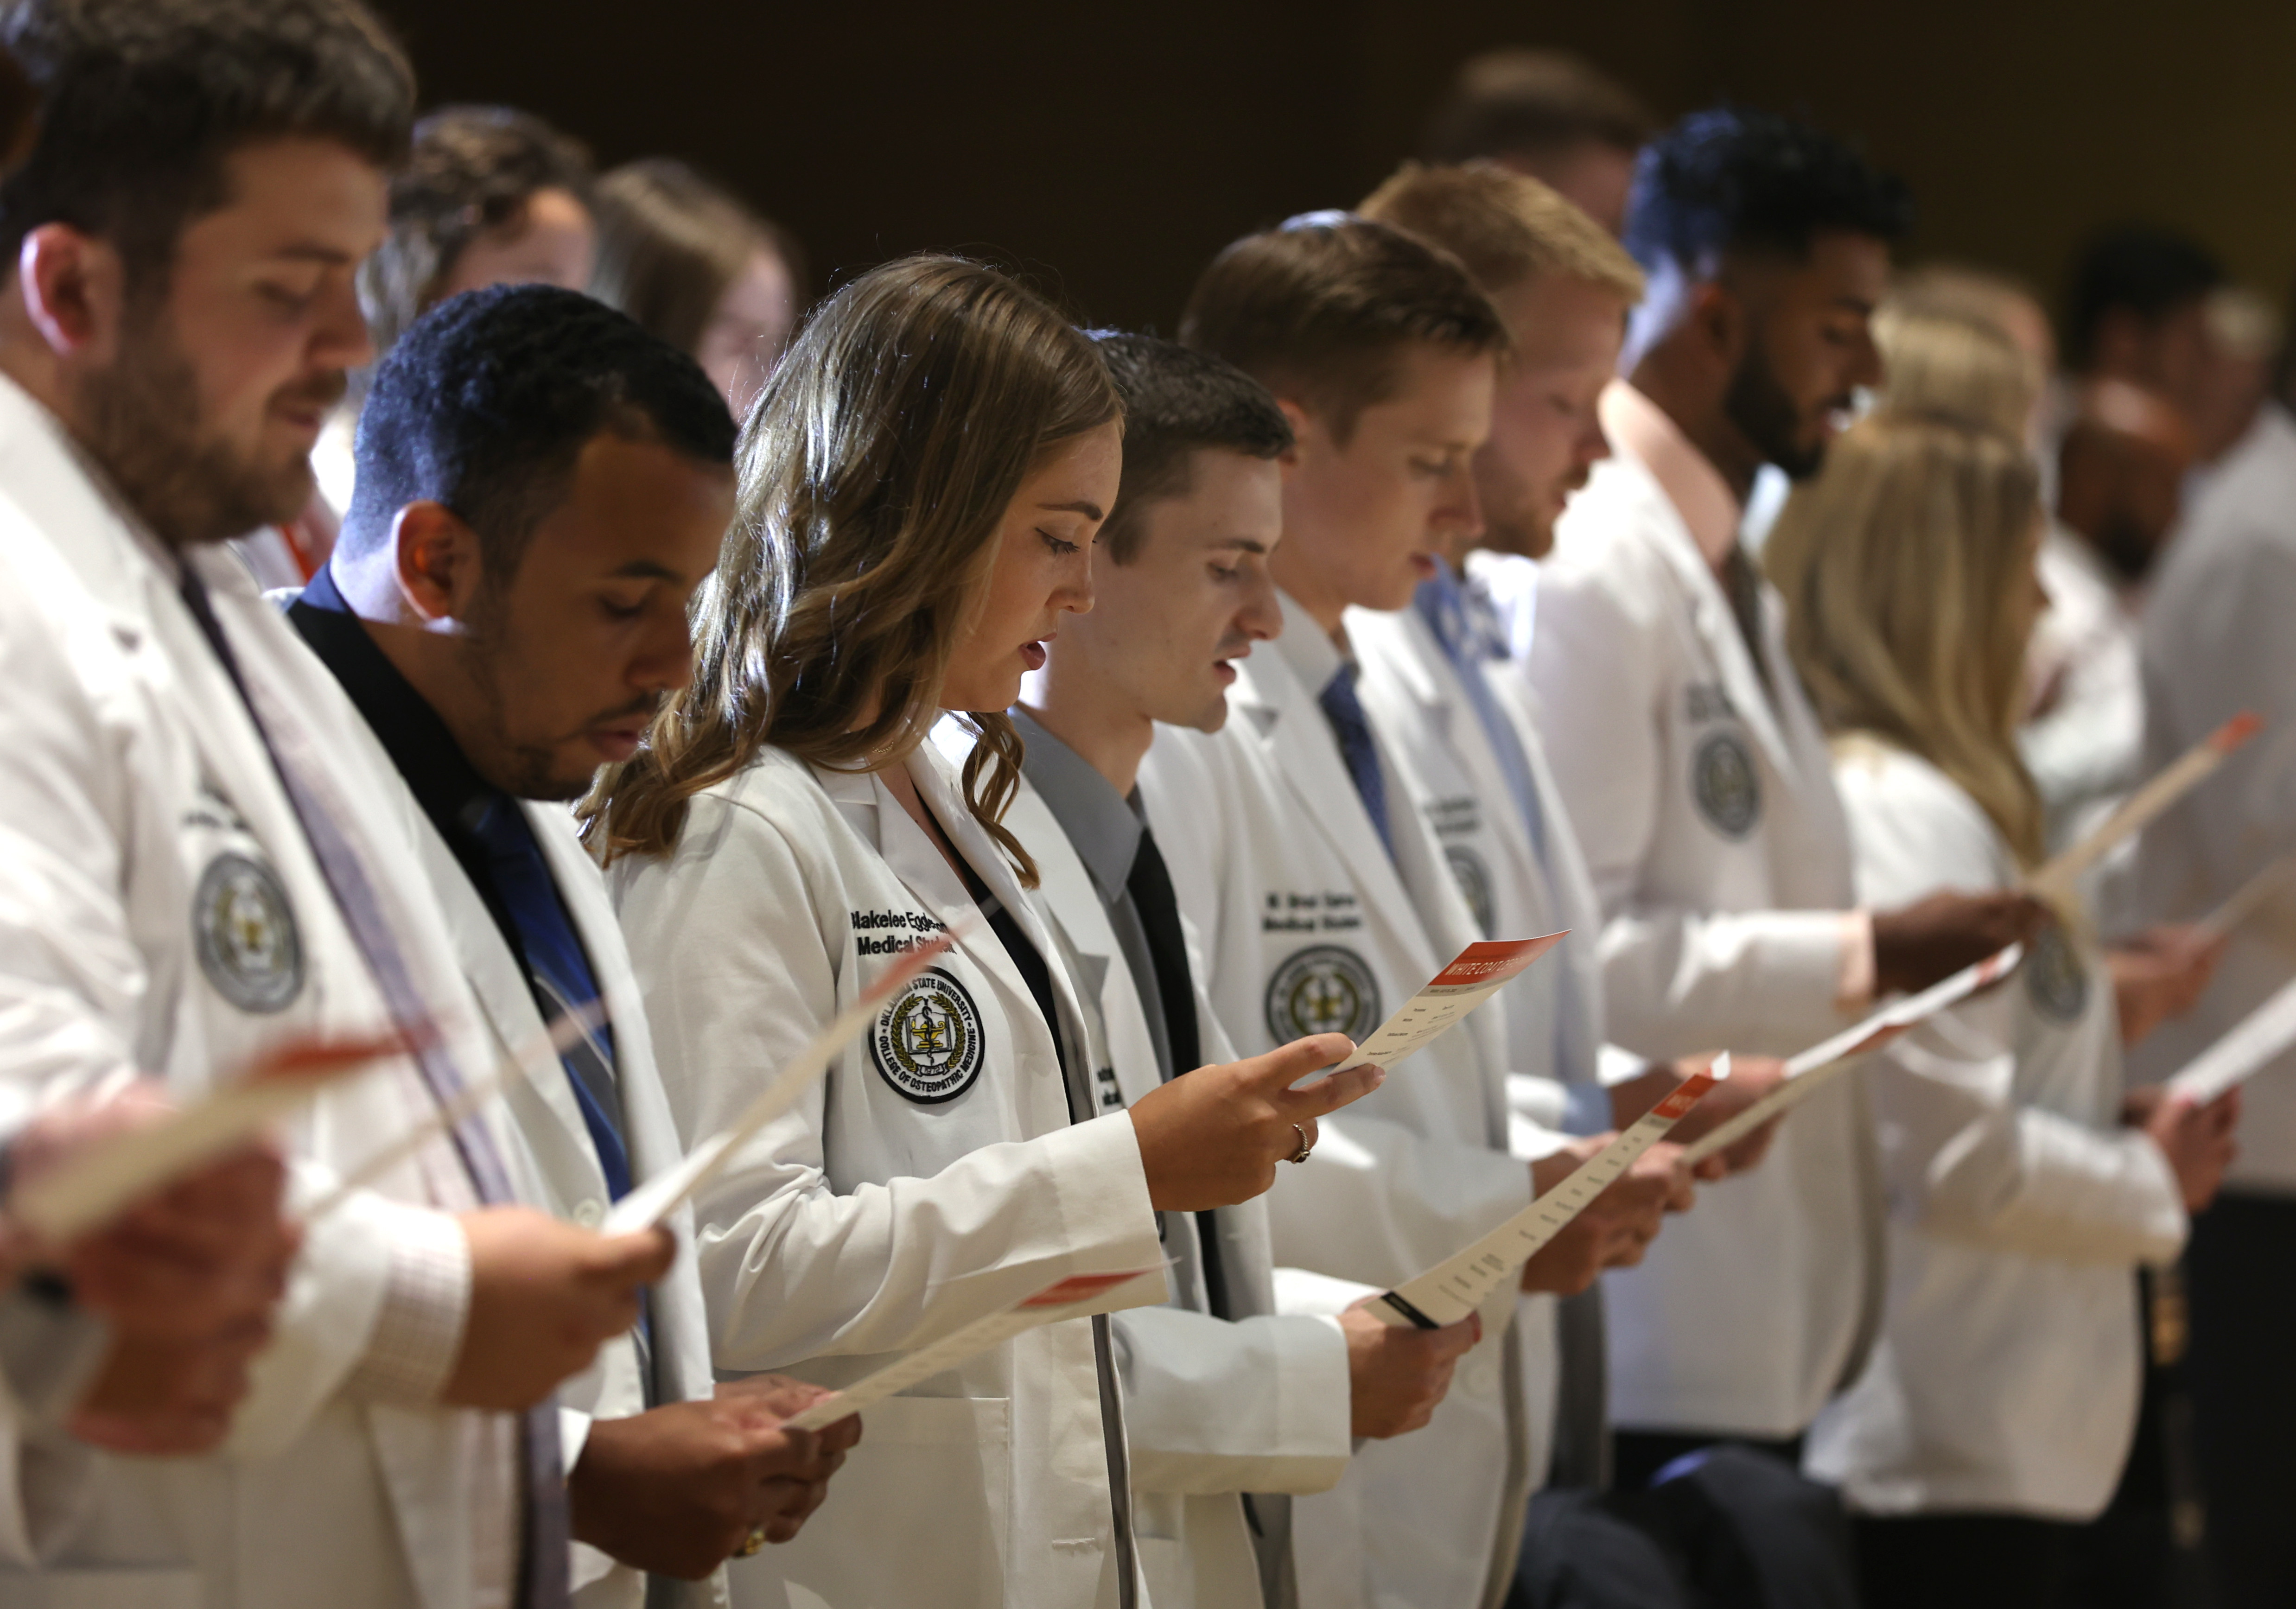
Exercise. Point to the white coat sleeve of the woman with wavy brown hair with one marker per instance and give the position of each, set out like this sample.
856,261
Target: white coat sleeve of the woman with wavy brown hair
734,949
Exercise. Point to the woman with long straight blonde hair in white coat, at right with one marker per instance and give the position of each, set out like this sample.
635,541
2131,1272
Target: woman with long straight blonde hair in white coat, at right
2026,1190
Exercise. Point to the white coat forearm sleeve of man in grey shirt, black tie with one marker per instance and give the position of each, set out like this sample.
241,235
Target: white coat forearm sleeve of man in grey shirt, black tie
1234,1406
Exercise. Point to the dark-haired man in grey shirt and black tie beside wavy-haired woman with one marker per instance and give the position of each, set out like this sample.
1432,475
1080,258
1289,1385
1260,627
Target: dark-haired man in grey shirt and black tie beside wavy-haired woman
1184,596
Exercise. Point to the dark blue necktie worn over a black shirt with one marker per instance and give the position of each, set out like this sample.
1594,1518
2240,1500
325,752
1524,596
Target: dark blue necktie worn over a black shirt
561,977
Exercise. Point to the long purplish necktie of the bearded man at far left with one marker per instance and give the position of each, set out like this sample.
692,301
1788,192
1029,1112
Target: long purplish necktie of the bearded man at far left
545,1562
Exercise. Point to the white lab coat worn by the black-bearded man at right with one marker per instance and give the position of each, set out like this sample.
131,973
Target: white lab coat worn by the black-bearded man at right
1716,846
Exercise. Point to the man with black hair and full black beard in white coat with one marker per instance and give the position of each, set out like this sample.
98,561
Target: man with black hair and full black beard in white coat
1700,784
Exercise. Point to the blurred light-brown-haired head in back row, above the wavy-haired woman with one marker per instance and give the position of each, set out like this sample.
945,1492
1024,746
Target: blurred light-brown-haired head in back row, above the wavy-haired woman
699,270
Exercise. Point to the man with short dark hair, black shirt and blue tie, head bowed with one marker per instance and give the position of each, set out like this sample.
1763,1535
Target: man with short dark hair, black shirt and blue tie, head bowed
543,485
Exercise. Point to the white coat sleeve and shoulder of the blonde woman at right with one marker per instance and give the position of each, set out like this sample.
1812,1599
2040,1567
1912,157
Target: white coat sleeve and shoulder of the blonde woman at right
1964,1158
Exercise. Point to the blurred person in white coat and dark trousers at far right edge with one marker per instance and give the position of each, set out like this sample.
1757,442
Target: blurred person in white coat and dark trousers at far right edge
2217,642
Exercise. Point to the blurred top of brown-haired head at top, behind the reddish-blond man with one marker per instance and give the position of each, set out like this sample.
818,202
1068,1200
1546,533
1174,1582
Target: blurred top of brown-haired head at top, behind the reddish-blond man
1549,116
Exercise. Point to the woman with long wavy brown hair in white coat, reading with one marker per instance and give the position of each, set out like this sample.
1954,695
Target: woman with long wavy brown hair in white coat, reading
922,485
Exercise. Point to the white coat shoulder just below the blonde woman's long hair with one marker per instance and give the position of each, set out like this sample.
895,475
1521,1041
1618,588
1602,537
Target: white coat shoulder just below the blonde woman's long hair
1911,825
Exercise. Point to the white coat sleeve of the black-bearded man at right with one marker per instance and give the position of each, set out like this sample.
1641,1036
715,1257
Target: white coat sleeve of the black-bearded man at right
1675,979
